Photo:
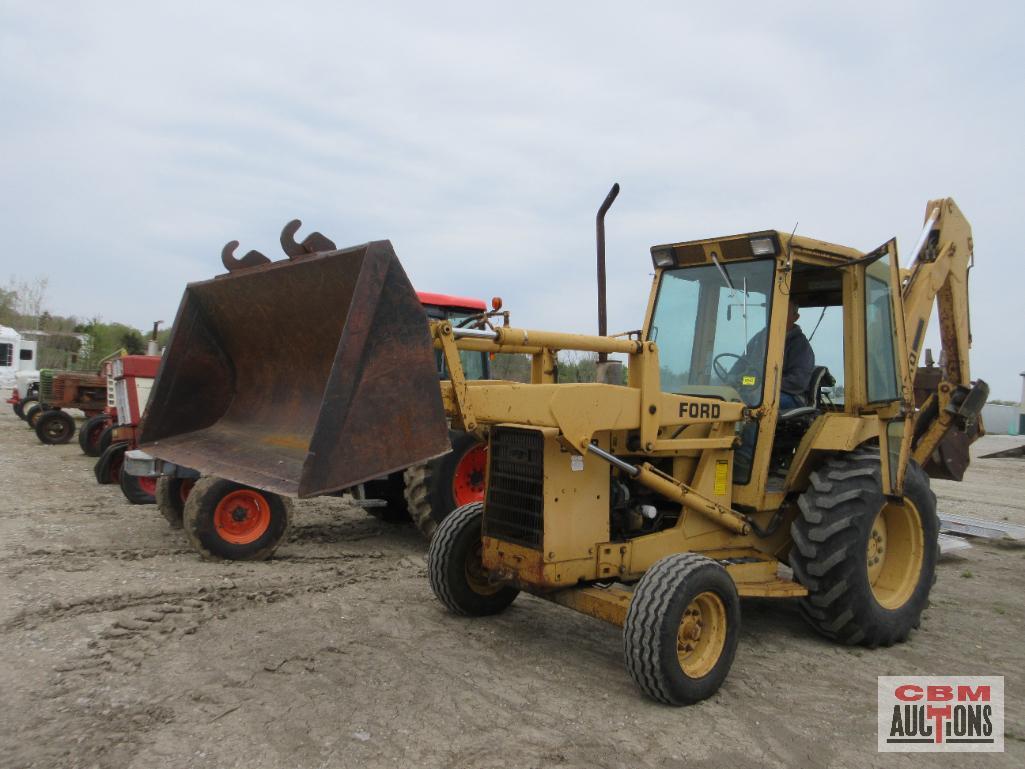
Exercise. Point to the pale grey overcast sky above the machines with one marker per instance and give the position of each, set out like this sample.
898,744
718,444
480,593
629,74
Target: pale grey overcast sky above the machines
481,138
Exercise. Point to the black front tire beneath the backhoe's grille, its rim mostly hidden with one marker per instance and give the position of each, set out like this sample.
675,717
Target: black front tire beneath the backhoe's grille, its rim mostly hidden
456,571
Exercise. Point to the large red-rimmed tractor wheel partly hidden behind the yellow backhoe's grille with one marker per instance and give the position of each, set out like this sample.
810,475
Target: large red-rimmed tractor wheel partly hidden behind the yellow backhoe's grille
436,489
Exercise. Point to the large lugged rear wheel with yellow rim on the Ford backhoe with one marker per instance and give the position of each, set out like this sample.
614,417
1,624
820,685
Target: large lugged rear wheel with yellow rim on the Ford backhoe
869,562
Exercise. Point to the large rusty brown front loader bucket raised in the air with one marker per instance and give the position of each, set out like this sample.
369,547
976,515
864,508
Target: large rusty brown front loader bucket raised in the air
302,377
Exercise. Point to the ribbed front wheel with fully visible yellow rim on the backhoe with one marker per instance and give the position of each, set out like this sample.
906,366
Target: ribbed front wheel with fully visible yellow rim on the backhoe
682,629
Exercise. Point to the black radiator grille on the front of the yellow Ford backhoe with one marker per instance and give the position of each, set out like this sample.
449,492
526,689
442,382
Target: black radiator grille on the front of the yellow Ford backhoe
514,510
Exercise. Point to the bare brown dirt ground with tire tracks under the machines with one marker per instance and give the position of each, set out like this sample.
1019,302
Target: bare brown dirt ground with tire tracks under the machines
120,649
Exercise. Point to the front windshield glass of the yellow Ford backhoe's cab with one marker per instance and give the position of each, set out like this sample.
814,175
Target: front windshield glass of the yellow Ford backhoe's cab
710,325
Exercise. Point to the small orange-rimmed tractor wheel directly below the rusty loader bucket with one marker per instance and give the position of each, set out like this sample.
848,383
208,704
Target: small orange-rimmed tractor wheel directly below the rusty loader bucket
227,520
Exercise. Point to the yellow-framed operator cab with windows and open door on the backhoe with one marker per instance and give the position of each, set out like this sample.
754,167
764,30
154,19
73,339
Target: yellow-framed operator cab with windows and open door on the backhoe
719,316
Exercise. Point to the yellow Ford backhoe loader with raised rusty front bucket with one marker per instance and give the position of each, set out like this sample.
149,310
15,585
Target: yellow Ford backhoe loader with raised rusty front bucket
655,506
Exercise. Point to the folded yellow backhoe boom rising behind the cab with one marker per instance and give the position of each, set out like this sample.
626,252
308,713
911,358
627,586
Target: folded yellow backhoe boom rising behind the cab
949,402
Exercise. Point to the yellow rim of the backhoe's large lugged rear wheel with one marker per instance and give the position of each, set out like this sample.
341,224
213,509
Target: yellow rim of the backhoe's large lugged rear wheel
895,552
